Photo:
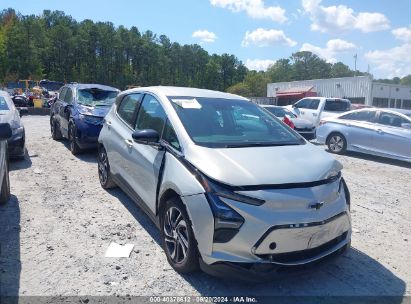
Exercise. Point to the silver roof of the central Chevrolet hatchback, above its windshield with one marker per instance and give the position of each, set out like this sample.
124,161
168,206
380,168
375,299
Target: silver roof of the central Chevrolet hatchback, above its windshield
185,92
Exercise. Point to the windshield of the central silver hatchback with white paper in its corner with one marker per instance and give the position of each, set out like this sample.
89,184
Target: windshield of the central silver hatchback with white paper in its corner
229,123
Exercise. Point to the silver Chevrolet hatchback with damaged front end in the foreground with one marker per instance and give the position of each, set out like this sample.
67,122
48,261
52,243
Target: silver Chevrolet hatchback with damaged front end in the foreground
229,185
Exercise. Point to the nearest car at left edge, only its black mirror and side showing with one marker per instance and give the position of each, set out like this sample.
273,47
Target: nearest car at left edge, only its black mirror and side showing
5,133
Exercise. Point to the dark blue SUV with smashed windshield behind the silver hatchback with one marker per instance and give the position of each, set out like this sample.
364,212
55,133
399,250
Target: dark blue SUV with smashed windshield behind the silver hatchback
78,113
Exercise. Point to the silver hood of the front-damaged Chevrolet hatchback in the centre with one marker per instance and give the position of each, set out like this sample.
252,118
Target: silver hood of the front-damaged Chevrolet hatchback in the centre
264,165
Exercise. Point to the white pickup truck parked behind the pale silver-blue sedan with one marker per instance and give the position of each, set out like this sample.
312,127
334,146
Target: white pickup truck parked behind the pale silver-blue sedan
316,108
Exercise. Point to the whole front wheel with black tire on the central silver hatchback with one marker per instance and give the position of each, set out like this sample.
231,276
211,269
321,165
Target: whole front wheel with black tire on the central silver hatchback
178,238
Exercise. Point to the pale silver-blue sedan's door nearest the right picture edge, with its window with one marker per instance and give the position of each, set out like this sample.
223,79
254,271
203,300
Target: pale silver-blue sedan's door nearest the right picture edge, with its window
390,137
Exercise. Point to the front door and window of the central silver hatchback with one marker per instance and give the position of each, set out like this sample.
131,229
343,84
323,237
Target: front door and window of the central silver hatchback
145,160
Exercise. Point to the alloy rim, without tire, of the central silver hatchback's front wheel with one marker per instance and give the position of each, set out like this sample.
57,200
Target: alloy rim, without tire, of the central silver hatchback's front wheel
176,235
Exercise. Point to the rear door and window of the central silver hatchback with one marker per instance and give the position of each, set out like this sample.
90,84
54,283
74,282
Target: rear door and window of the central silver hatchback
119,127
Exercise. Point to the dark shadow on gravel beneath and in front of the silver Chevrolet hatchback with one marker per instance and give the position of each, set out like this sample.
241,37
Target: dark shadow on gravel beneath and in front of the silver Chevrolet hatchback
352,274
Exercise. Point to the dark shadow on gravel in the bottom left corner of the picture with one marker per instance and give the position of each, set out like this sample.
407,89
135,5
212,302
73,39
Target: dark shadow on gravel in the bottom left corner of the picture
10,265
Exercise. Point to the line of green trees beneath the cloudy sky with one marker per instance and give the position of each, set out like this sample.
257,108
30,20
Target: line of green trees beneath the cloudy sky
55,46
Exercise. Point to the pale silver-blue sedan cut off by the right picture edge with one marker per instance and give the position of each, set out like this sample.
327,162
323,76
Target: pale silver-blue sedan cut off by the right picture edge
381,132
